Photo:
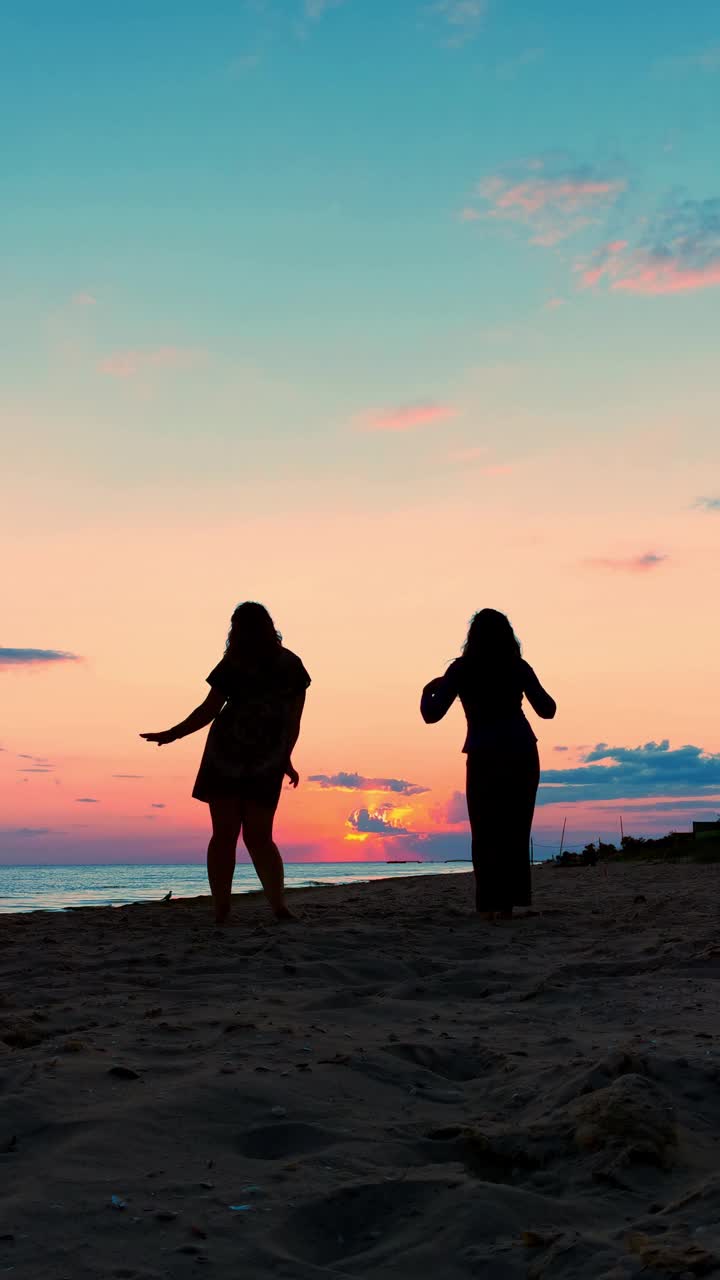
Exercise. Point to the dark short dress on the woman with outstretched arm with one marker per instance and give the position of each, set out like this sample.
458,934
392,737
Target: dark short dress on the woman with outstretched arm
248,746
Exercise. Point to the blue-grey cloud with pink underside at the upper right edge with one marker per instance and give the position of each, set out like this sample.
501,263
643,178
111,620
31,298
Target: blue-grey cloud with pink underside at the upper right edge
678,252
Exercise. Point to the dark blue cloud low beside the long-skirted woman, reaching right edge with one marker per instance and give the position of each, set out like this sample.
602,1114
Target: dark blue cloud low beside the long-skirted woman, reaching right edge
654,770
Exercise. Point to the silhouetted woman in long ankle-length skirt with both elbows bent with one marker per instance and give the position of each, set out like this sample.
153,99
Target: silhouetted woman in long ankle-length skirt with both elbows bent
490,679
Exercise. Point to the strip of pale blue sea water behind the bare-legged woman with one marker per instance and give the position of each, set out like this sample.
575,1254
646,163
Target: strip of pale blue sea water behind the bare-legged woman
56,889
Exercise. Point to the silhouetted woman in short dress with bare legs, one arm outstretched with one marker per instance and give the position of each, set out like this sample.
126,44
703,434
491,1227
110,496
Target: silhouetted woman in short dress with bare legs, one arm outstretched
254,711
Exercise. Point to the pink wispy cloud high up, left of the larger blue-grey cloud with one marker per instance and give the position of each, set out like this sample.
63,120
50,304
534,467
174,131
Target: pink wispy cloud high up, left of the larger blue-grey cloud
550,200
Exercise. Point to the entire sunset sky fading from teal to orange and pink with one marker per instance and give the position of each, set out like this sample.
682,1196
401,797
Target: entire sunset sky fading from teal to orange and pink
377,313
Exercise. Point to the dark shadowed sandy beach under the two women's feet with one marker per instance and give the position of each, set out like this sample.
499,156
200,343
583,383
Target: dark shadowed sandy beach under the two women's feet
388,1089
